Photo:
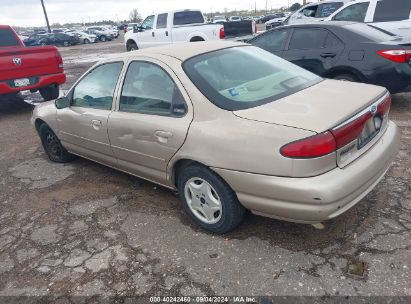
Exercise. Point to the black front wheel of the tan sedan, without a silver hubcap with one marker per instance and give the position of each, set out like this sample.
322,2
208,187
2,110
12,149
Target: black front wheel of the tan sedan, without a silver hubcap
53,147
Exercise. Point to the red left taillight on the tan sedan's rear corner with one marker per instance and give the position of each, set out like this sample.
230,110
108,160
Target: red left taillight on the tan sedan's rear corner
310,147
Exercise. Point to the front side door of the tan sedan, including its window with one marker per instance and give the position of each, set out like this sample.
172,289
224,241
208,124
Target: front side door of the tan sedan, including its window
83,126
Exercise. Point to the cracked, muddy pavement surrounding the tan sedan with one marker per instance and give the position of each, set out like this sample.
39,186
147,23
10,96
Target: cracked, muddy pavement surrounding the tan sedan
84,229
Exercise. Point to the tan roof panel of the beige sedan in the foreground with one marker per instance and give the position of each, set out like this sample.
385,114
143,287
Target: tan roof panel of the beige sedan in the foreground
181,51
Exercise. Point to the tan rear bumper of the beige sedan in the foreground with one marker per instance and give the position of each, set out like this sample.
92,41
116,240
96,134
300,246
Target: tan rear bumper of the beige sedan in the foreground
319,198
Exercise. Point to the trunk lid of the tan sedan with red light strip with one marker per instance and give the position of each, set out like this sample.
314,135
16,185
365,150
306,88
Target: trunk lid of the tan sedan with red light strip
355,114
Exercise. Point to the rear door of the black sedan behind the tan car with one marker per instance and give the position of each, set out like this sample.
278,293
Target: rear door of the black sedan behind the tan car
314,49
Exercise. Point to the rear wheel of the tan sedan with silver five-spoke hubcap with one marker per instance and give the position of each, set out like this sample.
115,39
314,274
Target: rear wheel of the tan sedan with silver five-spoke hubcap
209,200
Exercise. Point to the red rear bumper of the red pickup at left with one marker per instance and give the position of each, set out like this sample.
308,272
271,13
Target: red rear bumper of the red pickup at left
36,83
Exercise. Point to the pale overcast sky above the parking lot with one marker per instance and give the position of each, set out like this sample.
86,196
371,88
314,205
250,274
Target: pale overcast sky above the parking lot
30,13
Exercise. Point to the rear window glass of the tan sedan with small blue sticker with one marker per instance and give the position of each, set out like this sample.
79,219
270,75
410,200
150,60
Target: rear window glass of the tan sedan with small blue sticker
244,77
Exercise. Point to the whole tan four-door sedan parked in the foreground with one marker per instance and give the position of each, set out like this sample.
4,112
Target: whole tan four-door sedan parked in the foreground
314,147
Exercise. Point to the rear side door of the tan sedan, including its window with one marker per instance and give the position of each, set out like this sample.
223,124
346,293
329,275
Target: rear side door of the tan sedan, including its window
152,120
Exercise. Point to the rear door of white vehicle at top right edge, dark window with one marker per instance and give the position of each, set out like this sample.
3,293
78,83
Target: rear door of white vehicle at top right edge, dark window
393,17
